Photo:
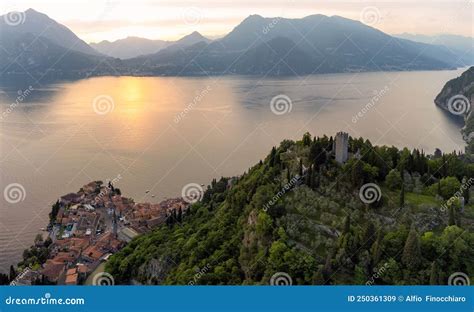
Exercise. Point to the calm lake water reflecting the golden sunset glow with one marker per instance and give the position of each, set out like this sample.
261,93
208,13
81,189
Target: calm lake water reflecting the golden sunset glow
160,134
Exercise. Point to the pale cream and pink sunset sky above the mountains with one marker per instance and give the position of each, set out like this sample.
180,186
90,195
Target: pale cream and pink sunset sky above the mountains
97,20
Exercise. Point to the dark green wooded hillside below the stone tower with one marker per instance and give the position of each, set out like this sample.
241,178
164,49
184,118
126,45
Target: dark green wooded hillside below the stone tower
318,230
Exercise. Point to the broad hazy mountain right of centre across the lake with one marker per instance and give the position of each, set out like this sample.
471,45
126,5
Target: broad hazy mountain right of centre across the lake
323,44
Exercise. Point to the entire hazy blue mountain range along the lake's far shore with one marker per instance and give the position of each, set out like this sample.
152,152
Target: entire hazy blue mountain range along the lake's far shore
41,47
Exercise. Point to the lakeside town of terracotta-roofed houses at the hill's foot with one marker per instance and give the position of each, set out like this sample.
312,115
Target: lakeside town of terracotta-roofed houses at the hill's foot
85,229
